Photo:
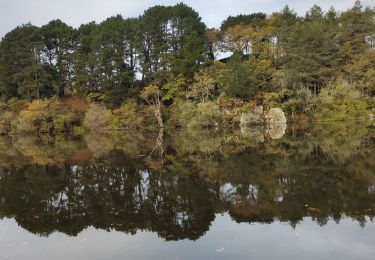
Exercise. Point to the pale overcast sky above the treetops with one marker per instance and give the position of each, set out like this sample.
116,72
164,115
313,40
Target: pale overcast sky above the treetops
76,12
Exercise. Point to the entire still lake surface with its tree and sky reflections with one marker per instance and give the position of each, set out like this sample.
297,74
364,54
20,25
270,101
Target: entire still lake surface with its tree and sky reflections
251,194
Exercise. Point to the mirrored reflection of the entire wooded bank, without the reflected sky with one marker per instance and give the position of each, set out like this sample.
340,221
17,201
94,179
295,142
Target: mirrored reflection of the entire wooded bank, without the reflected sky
174,185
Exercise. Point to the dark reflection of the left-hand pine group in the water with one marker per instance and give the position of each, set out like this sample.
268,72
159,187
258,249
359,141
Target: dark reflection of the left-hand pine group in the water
113,194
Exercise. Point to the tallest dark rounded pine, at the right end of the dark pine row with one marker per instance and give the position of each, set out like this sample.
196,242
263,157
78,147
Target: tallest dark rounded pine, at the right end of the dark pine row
171,43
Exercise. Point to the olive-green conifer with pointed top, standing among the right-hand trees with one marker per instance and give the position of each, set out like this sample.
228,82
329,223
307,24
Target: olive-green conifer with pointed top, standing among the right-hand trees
311,52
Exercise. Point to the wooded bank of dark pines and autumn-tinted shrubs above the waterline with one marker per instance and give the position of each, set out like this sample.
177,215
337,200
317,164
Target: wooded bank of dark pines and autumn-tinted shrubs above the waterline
166,65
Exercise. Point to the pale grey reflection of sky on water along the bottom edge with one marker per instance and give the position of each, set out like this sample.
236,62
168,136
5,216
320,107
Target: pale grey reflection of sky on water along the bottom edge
225,240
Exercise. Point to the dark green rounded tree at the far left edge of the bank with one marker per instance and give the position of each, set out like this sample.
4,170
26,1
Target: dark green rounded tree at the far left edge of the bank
22,70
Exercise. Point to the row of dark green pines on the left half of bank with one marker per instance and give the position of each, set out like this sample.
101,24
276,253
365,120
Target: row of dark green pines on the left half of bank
57,59
